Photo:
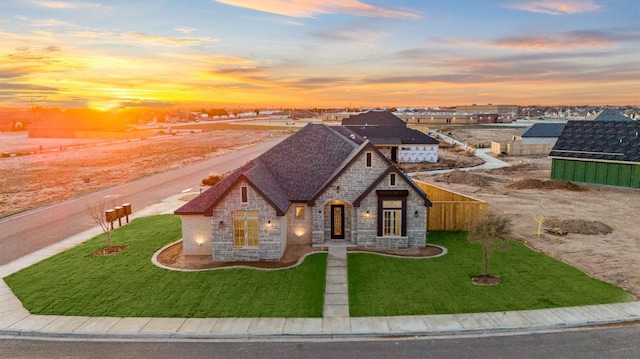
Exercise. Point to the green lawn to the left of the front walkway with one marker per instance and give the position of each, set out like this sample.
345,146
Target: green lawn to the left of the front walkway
128,284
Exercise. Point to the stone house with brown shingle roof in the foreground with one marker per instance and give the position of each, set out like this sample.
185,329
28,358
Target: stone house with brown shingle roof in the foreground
321,184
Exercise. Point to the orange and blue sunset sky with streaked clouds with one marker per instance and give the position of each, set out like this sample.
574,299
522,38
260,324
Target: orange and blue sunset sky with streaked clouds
306,53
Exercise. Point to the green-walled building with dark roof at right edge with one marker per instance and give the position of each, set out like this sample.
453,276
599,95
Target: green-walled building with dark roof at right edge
601,152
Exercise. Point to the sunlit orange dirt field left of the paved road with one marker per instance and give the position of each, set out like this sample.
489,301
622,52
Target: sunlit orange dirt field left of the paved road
65,168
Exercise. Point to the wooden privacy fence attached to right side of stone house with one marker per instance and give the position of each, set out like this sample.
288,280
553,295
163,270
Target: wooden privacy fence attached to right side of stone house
451,211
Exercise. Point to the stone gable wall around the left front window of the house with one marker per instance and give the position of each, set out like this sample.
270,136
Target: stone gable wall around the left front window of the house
272,236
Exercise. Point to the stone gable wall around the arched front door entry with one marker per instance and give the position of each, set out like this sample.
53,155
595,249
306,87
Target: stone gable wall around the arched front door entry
352,182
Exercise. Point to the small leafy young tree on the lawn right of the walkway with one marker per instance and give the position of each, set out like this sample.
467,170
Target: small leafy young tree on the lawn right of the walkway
491,232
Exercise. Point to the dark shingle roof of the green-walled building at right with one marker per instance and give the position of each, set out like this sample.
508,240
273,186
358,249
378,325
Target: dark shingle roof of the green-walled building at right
599,140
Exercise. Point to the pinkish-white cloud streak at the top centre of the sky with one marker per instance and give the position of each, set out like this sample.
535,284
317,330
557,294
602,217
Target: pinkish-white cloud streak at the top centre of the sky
311,8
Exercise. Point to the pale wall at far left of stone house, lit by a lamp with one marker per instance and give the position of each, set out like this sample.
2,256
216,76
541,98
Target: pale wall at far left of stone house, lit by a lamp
196,235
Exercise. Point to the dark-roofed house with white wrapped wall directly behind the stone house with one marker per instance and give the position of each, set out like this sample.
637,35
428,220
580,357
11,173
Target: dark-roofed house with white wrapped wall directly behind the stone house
392,137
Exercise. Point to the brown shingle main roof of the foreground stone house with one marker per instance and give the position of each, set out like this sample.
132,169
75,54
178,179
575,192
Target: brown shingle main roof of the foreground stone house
291,171
